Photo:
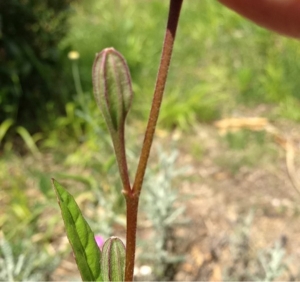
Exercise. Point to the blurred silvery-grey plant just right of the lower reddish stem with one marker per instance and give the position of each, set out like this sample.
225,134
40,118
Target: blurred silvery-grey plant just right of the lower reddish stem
166,249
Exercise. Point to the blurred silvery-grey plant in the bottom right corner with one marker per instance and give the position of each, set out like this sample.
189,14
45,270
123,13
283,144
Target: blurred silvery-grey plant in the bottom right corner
268,264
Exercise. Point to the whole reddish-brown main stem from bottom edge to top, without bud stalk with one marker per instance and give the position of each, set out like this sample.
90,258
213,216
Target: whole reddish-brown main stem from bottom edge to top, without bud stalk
132,198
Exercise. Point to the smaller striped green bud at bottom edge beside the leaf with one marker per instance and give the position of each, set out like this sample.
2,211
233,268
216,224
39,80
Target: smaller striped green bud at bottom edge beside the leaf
113,260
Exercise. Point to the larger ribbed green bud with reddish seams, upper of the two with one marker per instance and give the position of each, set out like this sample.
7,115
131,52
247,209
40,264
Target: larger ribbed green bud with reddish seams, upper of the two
112,87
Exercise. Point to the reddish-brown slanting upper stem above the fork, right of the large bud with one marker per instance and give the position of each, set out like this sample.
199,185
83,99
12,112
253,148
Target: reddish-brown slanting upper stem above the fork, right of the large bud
174,12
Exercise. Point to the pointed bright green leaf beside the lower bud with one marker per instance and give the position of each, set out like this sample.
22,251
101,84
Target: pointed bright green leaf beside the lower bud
80,235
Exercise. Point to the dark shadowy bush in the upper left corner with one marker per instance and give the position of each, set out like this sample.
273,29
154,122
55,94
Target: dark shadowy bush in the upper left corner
31,71
